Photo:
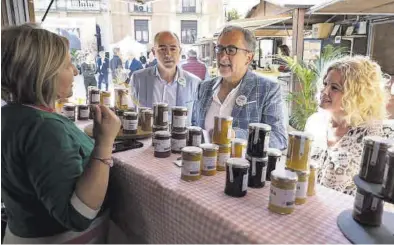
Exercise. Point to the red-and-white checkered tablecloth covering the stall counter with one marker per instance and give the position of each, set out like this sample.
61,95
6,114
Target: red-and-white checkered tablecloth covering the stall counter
148,199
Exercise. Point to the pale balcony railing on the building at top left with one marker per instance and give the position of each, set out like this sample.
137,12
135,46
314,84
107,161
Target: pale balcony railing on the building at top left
69,5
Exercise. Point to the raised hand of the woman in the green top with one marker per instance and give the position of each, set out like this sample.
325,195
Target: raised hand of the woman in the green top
106,126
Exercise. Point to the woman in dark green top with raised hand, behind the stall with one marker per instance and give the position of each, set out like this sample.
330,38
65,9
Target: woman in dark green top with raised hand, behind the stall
54,177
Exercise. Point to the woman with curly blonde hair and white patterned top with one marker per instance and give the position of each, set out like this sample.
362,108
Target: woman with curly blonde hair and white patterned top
352,104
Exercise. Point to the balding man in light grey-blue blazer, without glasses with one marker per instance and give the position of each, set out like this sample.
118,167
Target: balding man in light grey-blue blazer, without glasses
166,81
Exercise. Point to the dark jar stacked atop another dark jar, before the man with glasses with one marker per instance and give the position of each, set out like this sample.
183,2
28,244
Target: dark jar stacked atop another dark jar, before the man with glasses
258,140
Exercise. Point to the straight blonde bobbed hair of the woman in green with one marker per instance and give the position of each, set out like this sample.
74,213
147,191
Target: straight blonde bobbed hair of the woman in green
31,59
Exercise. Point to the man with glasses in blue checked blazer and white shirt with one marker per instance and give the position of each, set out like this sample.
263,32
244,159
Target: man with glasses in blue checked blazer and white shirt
239,92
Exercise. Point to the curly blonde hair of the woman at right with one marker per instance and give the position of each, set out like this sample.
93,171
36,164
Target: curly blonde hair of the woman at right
364,99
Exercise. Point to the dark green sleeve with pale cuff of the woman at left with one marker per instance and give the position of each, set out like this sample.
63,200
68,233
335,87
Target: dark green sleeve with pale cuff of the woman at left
54,164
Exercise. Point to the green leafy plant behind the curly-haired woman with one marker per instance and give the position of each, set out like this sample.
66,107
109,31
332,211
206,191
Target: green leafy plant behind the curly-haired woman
304,99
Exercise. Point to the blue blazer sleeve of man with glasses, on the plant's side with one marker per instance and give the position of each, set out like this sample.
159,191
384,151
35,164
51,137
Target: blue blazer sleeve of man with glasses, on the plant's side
273,115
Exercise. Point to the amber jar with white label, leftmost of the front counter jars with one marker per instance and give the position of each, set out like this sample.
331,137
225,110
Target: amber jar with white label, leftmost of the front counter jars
191,163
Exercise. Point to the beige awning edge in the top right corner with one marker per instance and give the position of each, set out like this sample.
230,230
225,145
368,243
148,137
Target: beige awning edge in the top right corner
355,7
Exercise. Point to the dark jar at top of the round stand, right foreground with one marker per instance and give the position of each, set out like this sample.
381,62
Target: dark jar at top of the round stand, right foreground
373,159
